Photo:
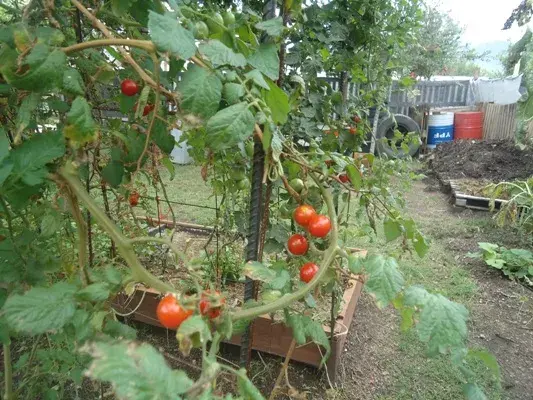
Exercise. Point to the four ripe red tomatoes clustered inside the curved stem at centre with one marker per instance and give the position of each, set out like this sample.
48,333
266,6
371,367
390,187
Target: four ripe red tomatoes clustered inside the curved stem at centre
318,226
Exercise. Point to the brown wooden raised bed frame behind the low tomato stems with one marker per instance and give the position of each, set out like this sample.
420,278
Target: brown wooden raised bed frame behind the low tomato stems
268,336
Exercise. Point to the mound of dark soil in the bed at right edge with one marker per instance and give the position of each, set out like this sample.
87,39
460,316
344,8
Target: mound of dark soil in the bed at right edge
494,161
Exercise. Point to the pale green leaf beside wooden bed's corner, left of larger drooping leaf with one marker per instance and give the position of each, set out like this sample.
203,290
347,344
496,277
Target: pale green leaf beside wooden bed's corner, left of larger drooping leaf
384,279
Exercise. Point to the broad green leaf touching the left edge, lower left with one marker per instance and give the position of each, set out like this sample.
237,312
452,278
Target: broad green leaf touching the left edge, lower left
40,309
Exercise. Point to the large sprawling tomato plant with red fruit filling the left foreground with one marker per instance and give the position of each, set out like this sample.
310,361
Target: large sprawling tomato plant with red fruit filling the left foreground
246,92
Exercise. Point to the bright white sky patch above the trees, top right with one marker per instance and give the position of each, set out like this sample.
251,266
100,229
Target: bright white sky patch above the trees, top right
483,19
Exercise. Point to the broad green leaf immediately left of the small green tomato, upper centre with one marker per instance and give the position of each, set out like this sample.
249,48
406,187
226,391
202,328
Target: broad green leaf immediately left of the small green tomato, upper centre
201,91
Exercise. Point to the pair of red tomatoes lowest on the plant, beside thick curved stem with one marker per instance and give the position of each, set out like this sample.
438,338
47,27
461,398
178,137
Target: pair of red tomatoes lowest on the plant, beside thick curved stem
171,313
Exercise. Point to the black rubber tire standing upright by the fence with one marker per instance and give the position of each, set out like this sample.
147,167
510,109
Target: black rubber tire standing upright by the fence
386,128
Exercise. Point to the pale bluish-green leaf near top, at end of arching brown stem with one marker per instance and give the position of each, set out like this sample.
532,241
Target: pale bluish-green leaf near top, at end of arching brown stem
168,35
